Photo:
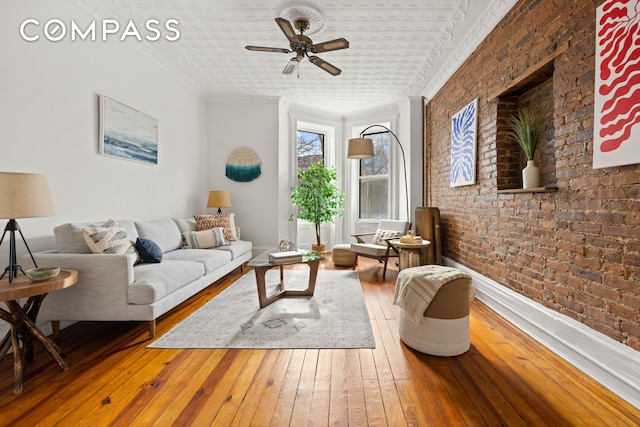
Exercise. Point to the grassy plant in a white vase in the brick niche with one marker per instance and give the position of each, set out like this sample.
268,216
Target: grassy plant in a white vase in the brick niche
525,128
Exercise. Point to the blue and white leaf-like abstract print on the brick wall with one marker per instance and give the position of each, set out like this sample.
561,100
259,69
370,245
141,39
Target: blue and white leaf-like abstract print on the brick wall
464,131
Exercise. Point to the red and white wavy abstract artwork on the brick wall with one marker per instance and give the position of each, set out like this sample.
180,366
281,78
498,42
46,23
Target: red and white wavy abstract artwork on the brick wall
616,138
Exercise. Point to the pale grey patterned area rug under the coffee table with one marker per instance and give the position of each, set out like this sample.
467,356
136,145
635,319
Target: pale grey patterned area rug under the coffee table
335,317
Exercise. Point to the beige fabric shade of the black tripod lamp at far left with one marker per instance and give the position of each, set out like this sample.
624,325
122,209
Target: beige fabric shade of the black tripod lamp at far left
25,195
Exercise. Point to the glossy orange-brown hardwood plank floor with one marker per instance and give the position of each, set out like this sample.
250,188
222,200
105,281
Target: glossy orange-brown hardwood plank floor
505,379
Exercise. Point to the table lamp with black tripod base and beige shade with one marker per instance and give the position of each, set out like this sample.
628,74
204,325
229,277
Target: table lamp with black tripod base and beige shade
22,195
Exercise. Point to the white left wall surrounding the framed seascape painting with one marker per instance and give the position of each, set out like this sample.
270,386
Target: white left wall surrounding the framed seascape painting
49,123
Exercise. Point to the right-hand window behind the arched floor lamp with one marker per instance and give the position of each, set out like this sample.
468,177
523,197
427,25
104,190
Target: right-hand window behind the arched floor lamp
374,179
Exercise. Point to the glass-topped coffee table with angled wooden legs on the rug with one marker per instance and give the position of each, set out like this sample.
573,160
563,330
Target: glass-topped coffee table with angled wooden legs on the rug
262,264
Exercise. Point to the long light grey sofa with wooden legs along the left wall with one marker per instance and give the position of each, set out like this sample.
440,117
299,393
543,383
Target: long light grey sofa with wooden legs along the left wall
114,288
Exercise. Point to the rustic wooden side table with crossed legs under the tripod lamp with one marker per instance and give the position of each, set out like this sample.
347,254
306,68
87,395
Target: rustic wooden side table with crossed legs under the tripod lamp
23,320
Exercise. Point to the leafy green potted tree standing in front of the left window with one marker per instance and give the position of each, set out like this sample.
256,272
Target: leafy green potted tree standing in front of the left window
318,198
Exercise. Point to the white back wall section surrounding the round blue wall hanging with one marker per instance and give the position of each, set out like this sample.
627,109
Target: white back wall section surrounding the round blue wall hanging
252,123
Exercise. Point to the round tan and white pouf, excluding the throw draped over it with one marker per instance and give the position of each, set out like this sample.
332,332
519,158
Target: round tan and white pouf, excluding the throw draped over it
444,328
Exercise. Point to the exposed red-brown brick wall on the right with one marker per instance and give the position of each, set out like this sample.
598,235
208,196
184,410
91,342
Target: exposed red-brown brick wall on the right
576,250
